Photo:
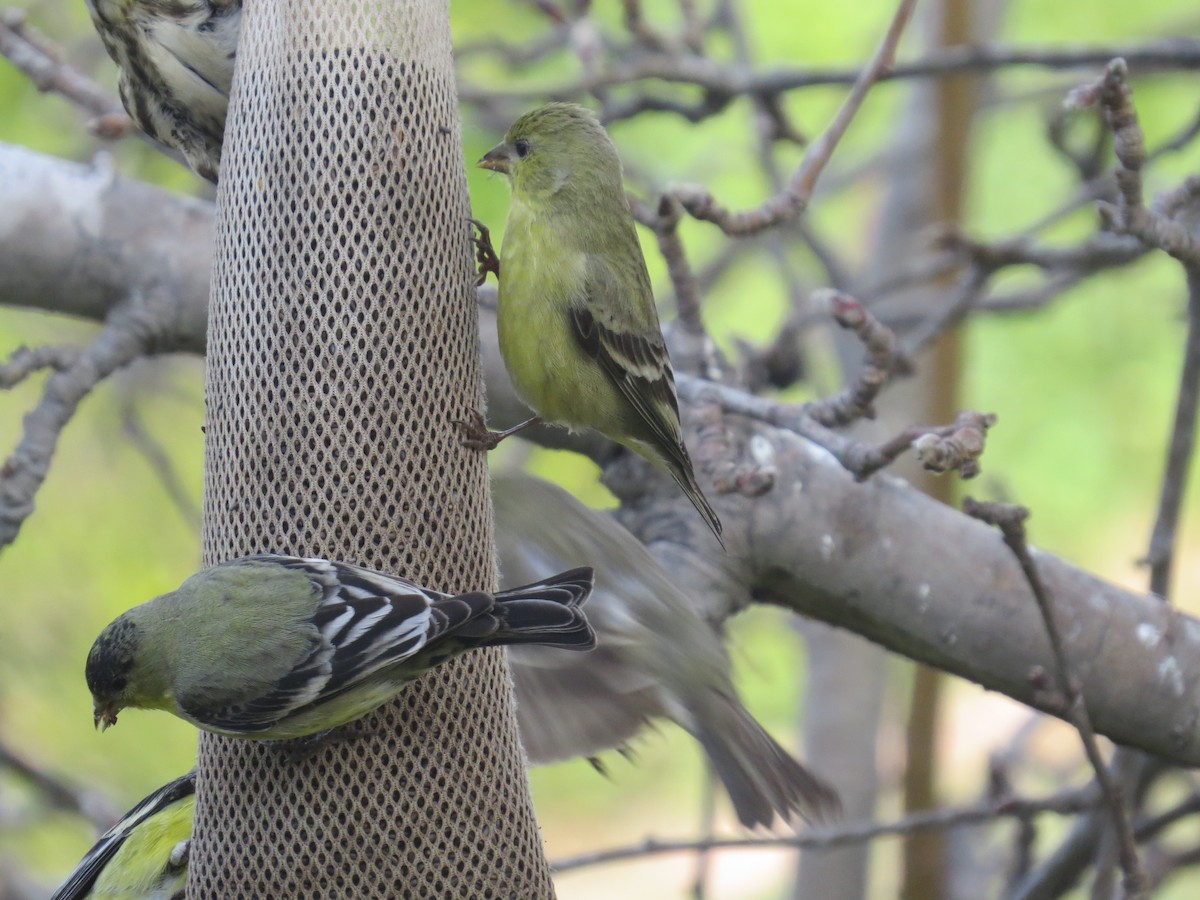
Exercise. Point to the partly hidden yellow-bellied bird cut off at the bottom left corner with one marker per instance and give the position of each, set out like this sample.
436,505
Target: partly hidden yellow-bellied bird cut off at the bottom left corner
145,856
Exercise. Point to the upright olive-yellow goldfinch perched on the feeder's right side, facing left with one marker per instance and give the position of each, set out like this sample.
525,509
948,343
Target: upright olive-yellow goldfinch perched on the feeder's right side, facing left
578,326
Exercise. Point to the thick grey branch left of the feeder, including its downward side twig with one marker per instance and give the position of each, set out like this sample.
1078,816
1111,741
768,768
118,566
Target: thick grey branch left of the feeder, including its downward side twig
87,255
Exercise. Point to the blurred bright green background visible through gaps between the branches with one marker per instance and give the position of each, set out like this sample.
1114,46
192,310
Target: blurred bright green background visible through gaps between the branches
1084,392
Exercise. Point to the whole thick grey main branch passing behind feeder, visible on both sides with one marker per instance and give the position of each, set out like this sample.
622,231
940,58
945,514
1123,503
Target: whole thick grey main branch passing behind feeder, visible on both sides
910,574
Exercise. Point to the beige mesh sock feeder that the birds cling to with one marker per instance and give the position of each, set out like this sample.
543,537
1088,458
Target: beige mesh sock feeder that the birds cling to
343,344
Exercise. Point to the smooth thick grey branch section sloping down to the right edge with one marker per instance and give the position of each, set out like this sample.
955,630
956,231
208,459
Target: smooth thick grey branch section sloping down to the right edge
953,598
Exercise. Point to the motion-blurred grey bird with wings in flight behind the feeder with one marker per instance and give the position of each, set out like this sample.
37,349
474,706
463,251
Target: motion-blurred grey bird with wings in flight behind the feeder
657,657
